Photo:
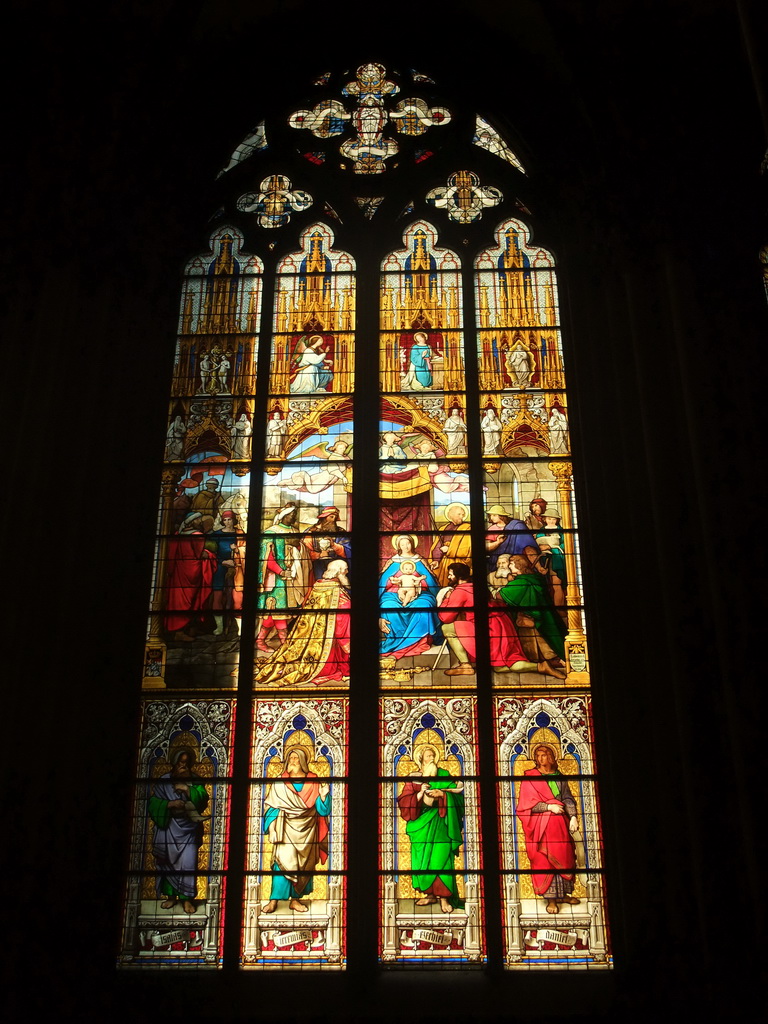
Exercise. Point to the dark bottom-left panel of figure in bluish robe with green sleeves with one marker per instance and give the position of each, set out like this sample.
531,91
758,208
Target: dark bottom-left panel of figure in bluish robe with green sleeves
180,835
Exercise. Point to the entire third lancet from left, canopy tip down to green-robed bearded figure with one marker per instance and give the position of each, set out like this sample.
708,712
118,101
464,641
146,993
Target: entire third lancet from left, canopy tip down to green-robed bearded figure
432,907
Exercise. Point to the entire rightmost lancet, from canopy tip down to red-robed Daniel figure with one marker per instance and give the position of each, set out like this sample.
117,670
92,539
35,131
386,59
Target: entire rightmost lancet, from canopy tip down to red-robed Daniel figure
553,891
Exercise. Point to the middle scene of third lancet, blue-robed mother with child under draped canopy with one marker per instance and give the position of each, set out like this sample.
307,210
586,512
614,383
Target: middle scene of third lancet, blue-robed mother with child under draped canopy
425,549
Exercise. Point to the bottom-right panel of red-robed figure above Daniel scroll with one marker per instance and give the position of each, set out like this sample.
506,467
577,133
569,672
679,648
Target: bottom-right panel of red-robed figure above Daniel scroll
553,887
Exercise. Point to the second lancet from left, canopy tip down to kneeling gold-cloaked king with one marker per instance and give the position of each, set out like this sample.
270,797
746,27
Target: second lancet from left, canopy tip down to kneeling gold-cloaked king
304,630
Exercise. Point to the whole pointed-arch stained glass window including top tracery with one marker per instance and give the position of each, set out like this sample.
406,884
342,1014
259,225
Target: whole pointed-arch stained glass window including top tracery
366,680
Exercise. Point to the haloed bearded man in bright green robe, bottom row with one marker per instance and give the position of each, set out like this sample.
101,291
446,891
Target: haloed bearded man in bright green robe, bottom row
433,806
